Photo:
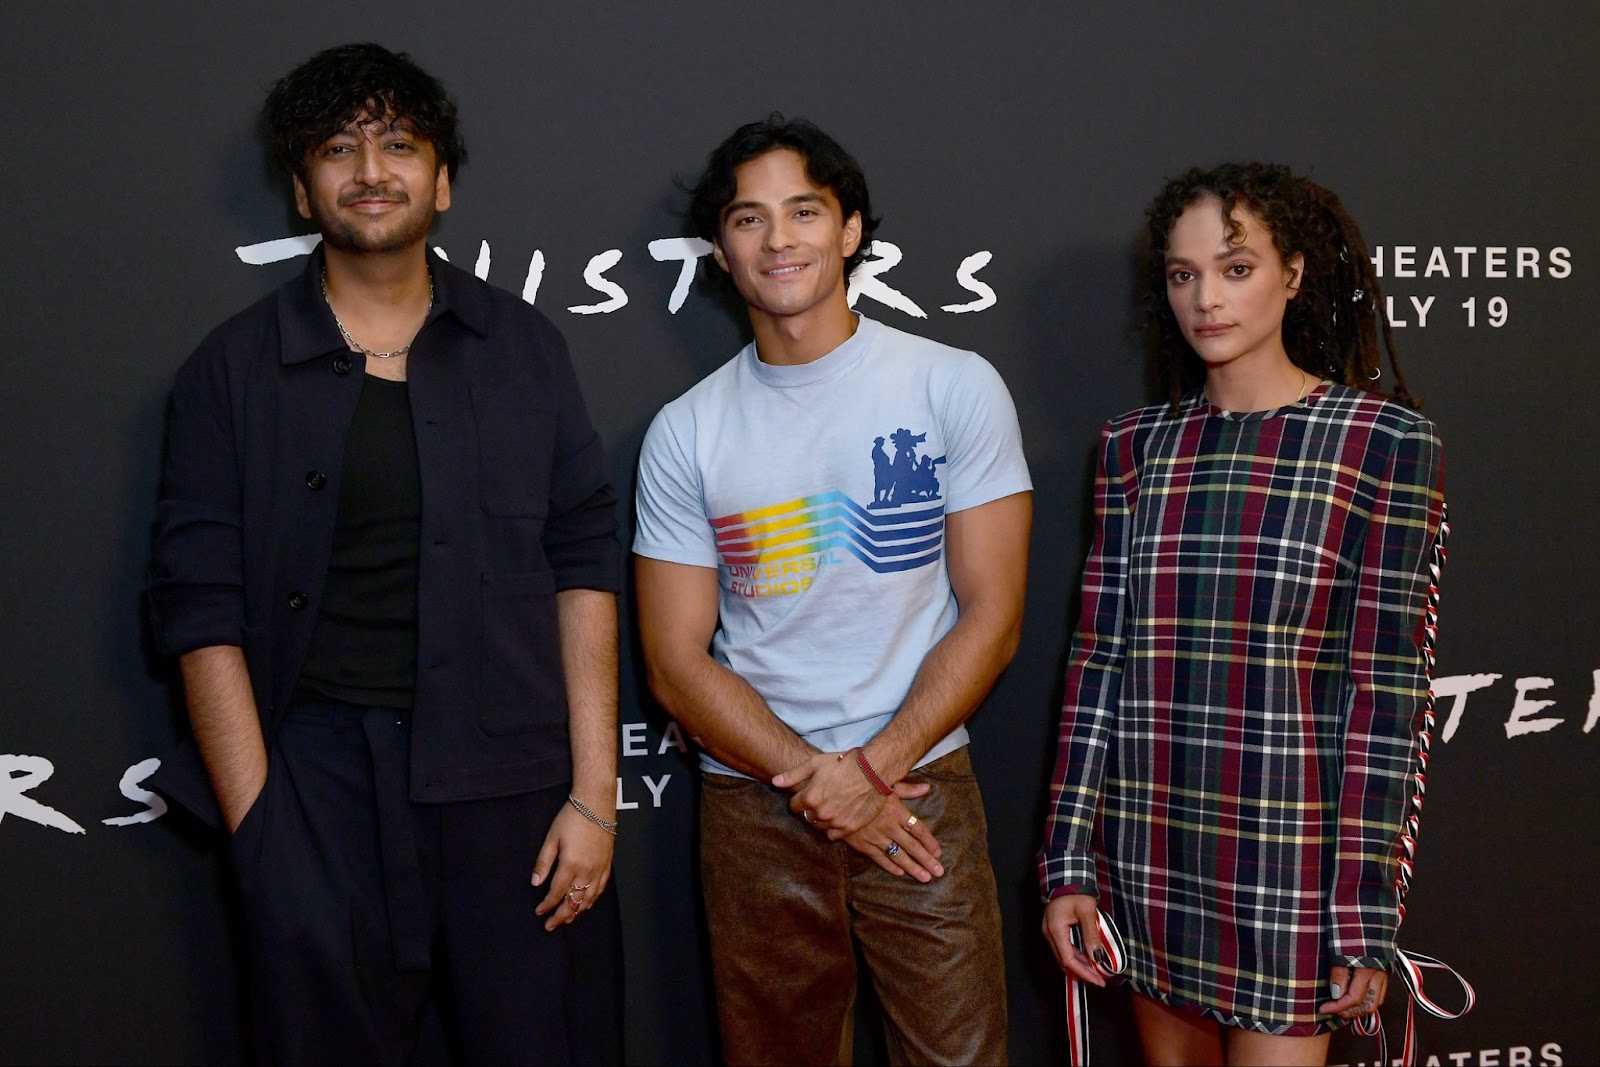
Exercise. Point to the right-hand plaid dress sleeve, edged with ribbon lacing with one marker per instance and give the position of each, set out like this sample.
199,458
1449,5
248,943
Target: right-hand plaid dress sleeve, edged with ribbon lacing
1391,679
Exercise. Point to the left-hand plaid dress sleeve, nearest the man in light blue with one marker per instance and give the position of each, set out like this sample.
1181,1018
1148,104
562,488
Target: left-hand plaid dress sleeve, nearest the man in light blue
1066,863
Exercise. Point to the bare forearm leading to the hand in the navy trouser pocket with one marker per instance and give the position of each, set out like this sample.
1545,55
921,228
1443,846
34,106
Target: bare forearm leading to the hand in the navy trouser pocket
226,727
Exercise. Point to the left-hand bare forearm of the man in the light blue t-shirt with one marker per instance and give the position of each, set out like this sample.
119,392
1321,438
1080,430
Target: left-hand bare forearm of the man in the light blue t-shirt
727,717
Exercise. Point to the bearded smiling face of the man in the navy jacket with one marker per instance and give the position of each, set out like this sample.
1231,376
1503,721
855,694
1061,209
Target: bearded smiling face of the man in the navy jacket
374,188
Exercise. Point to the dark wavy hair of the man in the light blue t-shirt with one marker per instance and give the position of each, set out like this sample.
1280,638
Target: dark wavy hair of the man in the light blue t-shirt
826,164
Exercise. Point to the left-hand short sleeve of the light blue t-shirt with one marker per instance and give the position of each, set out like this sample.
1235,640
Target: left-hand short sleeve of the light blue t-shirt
673,522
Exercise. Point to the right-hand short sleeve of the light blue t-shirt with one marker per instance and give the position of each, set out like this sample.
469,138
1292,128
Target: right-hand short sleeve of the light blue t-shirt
983,441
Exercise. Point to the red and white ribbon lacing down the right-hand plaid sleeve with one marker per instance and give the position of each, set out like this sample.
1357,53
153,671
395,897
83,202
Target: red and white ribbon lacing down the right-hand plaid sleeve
1410,965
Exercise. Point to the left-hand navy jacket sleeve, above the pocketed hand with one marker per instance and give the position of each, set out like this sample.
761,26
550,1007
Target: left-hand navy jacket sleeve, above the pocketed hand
196,585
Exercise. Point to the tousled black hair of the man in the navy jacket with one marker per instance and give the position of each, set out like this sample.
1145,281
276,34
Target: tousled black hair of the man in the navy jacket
330,90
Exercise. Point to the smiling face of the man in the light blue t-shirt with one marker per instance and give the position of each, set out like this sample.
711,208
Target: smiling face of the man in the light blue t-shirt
785,242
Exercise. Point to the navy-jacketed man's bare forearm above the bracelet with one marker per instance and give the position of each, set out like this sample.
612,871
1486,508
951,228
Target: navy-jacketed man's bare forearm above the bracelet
588,628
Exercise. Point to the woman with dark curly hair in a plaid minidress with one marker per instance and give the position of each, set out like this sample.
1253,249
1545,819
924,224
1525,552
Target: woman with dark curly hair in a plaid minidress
1249,674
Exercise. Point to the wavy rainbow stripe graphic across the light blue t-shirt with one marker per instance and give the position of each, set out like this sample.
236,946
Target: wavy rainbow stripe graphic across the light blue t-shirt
886,541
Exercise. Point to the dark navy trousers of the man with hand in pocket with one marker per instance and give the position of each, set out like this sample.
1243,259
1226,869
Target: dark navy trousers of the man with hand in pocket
361,905
